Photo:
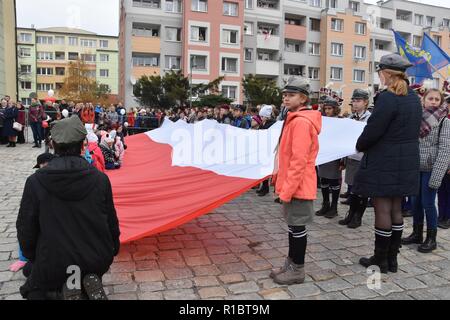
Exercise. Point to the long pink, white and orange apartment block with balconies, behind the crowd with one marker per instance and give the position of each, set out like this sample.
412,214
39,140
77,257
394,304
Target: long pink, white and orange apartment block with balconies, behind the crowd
329,41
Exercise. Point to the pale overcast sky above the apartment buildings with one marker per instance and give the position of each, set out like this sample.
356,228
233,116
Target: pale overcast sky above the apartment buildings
99,16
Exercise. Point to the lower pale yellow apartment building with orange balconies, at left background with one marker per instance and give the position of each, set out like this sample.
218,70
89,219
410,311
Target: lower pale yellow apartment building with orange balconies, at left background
44,57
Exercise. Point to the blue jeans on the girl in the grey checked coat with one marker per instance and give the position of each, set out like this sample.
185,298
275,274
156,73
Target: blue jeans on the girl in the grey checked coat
425,203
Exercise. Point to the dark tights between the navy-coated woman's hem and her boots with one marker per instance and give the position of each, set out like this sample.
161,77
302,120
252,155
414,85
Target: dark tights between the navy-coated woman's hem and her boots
388,212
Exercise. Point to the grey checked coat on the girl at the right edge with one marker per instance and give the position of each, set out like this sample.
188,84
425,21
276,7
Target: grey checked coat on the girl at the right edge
435,153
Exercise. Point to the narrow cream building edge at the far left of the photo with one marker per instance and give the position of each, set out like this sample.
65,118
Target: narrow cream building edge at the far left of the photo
8,63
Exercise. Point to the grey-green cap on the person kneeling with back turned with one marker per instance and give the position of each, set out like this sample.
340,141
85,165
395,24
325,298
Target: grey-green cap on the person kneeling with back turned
69,130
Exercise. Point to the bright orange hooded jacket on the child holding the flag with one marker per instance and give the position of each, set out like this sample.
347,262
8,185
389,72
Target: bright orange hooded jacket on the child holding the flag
297,153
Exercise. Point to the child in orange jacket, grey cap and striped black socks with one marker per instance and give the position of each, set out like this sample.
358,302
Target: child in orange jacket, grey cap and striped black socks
296,181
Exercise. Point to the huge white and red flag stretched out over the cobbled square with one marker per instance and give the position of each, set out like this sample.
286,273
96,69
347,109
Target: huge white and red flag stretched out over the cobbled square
181,171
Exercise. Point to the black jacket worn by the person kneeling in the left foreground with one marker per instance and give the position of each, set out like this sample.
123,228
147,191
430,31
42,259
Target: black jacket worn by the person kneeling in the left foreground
67,217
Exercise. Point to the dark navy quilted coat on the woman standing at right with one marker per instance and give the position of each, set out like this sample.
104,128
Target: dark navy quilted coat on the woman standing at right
390,142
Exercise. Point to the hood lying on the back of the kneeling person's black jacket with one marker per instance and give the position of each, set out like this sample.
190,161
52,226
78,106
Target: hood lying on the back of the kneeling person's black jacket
68,178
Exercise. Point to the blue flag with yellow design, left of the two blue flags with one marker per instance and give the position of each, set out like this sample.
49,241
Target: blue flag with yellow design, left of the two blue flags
421,69
